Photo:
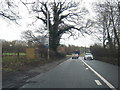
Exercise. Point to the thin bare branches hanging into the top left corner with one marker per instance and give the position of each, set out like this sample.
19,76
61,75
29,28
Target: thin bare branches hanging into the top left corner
9,10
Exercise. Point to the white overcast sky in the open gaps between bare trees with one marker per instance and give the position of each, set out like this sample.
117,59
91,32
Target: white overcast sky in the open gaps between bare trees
10,31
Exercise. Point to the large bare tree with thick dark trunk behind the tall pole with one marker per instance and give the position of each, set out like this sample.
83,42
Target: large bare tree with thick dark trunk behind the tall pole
63,17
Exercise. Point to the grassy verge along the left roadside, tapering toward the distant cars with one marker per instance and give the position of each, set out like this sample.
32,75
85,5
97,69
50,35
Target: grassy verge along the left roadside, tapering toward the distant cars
13,63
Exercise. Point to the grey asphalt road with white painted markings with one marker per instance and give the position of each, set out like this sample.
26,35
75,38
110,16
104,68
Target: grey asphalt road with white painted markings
74,73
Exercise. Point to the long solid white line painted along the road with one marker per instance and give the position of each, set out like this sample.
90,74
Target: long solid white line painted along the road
101,77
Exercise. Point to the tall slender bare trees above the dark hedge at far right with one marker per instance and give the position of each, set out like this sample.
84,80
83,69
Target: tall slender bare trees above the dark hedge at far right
107,19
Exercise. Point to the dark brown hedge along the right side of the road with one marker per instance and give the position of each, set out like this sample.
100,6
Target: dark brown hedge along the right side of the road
104,54
